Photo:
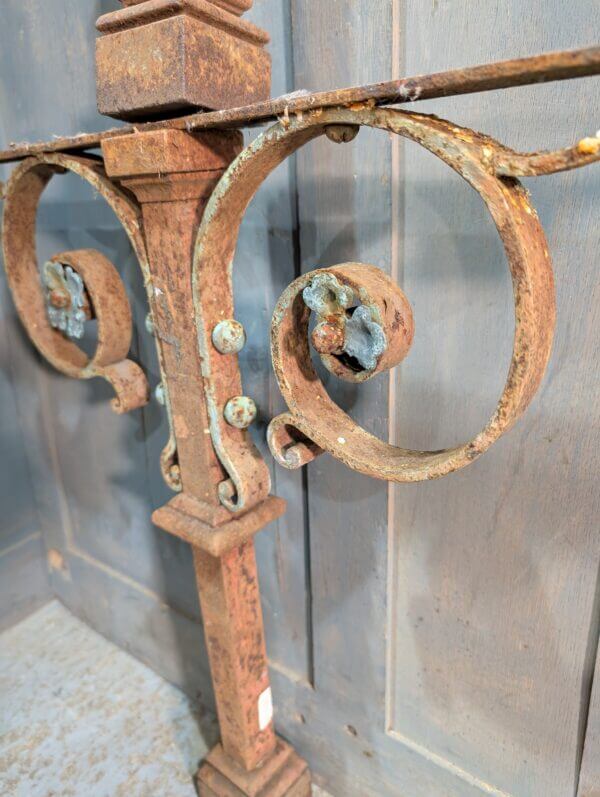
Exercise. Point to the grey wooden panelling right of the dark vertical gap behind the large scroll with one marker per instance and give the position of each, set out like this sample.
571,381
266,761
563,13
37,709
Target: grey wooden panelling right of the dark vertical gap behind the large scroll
458,620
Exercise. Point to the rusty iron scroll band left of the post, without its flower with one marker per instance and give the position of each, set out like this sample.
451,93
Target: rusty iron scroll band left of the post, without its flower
100,278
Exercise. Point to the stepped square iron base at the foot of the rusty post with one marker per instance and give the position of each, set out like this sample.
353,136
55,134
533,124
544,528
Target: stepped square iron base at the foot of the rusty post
284,774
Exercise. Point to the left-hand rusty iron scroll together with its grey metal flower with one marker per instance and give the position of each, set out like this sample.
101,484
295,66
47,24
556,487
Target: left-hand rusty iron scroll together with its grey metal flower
84,277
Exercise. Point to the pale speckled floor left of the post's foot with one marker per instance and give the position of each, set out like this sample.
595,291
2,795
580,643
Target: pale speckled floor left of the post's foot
79,716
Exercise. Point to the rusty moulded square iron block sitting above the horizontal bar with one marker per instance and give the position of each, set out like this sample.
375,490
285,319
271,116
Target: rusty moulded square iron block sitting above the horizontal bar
163,56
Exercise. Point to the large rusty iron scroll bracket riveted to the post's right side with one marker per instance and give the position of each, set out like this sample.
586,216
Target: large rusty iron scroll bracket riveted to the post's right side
314,422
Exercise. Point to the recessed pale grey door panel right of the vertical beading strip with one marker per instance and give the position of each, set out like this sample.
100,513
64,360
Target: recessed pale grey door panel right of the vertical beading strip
495,569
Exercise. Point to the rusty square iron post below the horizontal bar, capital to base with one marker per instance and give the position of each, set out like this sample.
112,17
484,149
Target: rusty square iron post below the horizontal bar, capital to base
172,174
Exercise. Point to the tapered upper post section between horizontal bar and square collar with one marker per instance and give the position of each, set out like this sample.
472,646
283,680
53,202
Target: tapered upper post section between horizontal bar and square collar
172,200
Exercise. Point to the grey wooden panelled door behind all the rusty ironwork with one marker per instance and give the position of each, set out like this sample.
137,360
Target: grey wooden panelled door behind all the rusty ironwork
436,640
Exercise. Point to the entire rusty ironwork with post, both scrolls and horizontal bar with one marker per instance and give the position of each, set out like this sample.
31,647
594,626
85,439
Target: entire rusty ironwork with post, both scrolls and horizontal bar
181,194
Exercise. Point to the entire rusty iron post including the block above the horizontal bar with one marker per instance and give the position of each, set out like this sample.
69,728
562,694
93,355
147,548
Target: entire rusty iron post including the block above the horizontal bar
172,174
